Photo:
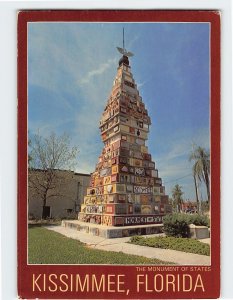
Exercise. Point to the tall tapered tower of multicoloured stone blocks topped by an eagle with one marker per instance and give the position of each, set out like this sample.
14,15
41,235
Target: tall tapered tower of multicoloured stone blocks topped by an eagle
125,187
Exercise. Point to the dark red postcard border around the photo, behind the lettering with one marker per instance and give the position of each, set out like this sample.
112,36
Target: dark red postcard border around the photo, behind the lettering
212,278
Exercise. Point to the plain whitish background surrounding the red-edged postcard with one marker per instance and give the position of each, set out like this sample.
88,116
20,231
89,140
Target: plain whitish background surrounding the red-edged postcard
8,124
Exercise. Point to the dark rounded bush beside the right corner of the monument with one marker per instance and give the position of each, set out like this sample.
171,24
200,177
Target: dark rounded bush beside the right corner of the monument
176,225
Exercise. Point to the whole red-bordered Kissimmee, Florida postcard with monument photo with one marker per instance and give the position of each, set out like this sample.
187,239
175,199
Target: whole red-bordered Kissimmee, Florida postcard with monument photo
118,154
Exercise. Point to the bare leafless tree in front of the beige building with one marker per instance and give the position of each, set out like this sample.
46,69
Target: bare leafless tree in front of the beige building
47,156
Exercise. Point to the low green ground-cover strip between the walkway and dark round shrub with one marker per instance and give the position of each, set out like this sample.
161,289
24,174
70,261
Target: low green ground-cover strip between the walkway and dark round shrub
179,244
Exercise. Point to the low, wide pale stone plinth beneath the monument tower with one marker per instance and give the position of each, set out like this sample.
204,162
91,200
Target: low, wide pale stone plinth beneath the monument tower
110,232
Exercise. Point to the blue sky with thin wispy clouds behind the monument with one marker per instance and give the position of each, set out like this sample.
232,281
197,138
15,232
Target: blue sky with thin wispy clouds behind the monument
71,68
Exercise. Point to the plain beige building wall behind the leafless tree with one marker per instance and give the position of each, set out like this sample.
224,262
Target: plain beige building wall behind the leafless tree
70,191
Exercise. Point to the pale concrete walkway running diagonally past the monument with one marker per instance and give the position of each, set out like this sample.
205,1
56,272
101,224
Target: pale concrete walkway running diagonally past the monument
121,245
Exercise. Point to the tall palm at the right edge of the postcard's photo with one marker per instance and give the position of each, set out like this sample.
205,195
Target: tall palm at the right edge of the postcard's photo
201,168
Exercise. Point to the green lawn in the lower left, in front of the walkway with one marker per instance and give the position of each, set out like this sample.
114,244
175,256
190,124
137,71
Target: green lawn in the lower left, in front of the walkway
49,247
